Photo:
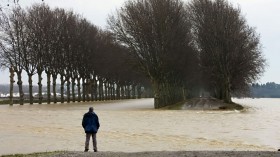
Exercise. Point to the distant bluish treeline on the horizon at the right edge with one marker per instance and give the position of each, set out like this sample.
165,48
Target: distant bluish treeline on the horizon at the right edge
268,90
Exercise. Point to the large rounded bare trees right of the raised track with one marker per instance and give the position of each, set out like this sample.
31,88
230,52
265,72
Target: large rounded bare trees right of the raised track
229,49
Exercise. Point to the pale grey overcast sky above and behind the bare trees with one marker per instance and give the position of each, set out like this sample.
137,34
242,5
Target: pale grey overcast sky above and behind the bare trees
264,15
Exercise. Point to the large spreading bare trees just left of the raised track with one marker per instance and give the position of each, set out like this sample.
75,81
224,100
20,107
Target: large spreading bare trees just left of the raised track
153,30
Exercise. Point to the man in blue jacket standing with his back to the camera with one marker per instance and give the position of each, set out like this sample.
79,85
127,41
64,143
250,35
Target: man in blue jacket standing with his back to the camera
91,125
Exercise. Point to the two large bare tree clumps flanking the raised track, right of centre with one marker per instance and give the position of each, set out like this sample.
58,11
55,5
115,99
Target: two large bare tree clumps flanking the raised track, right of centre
177,44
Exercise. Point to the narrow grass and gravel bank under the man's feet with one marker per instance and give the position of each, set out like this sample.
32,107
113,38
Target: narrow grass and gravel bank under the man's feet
156,154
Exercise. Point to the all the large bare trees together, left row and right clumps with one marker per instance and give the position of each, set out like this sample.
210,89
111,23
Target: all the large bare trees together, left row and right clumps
178,47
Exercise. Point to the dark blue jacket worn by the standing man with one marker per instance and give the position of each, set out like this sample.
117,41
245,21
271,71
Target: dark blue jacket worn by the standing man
90,122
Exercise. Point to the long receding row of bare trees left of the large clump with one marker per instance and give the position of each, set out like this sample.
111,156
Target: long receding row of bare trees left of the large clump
63,44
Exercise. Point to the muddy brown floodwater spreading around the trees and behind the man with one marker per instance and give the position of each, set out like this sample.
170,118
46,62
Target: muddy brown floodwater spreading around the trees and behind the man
133,125
